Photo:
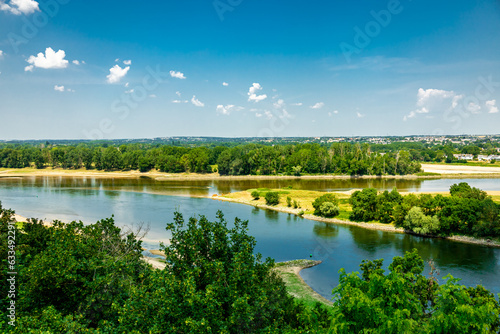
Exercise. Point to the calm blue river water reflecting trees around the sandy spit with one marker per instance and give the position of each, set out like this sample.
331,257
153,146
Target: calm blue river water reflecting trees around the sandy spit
279,235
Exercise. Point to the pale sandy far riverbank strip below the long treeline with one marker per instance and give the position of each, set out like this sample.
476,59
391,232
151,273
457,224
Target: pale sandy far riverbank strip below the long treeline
435,171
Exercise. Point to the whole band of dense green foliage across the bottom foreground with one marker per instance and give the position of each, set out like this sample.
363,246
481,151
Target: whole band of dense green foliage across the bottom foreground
76,278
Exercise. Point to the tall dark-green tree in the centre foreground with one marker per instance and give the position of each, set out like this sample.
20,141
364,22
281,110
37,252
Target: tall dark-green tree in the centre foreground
213,283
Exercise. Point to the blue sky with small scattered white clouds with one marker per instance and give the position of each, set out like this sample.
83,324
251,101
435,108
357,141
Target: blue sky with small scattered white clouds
121,69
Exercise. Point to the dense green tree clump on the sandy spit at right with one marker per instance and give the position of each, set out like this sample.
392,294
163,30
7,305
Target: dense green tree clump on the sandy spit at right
467,211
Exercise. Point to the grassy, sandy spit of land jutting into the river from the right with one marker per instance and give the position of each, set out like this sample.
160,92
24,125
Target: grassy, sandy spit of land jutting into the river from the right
306,211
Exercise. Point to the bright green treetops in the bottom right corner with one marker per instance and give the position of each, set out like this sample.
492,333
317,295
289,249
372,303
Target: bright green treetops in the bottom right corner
405,301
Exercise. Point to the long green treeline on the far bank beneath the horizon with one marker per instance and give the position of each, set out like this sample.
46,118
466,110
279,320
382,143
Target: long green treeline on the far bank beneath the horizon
248,159
